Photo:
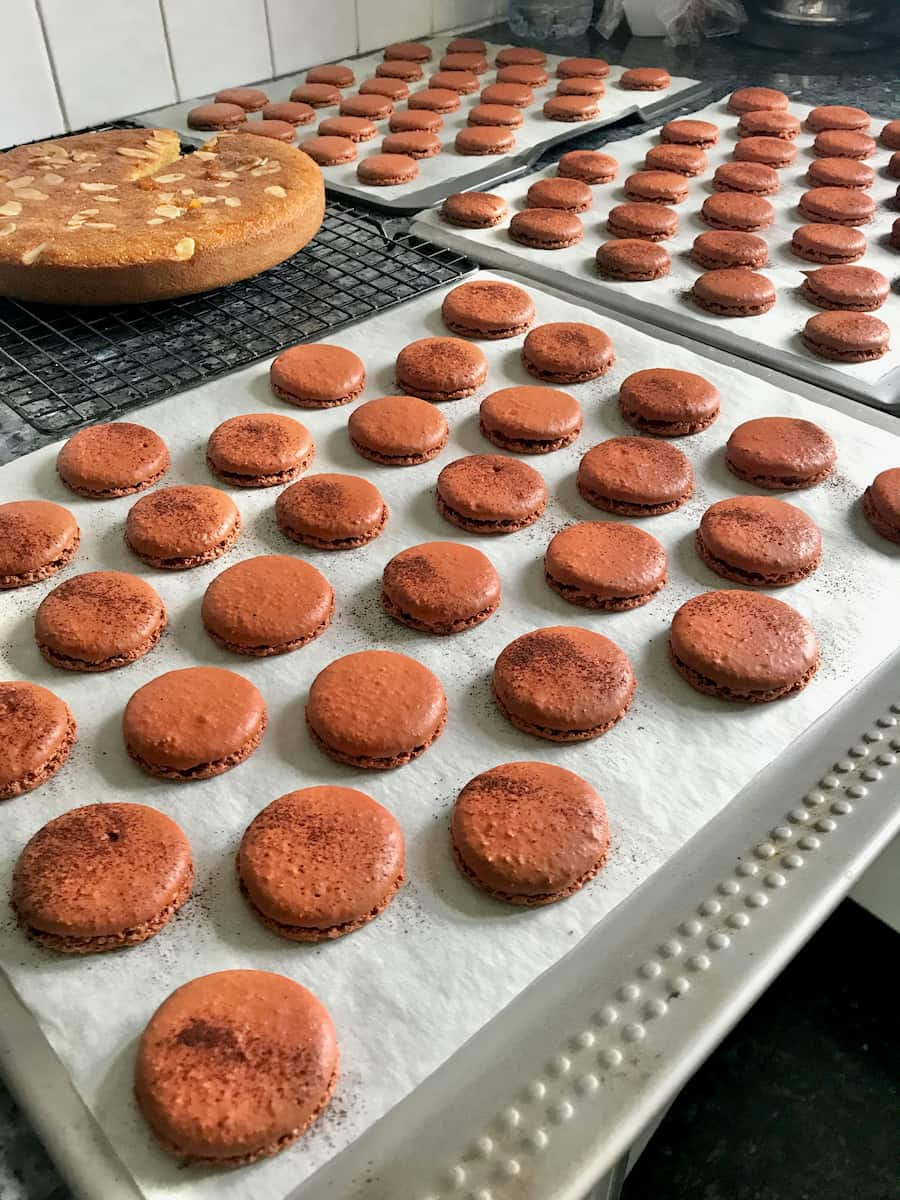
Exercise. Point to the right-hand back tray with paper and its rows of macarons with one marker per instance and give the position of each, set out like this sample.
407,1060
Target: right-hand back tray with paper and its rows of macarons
758,225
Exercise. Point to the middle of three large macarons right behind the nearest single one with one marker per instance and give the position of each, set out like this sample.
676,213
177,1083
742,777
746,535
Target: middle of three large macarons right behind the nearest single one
321,863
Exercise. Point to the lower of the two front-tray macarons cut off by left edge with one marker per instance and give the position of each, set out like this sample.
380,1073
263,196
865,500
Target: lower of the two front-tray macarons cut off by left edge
38,733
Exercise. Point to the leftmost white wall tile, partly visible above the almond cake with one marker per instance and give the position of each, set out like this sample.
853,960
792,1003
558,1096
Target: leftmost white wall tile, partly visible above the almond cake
29,106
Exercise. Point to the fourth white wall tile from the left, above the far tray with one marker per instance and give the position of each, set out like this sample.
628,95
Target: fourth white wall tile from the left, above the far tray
305,33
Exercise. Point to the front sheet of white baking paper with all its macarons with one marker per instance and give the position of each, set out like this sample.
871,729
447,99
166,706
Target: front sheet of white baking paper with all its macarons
344,691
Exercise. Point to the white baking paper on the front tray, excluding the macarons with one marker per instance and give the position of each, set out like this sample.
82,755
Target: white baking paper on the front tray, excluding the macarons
412,987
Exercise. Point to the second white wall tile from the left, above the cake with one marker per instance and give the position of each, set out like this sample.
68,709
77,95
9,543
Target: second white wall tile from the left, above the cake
111,57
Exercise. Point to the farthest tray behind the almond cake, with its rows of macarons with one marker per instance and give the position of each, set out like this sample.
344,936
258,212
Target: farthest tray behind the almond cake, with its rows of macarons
417,122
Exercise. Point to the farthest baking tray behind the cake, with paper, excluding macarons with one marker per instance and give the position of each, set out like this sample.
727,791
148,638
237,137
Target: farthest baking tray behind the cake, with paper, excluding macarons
451,172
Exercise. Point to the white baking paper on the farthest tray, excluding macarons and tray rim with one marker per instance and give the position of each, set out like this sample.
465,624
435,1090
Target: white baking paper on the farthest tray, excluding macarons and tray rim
448,167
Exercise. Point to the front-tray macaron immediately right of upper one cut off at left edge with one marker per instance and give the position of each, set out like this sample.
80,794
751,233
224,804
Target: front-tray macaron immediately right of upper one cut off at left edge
177,529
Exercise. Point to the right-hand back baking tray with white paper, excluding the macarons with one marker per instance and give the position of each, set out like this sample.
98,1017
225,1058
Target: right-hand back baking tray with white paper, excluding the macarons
772,339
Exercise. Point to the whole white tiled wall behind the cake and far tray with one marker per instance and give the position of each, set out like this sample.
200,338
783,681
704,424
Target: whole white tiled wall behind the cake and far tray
71,63
